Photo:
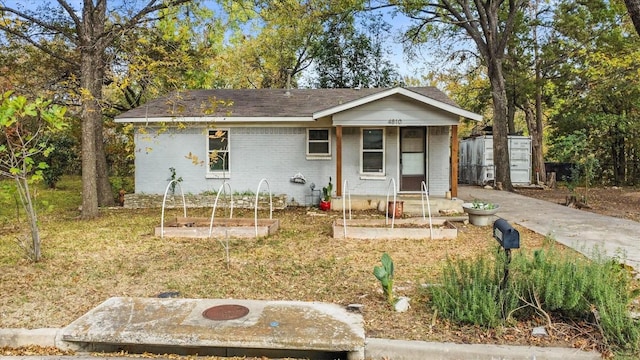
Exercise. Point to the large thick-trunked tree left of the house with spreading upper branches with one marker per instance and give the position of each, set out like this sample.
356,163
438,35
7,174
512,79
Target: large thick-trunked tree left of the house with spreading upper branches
88,31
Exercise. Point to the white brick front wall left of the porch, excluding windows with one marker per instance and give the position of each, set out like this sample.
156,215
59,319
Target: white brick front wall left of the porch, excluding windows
276,154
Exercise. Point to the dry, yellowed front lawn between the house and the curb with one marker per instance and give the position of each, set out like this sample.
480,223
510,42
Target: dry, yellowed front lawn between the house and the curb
86,262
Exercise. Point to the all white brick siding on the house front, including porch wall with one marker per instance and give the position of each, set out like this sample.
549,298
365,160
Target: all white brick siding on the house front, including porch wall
277,154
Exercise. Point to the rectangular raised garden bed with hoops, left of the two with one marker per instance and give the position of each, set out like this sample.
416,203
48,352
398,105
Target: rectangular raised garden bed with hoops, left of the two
198,227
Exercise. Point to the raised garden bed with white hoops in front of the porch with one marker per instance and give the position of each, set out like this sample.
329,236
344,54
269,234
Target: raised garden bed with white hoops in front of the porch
410,228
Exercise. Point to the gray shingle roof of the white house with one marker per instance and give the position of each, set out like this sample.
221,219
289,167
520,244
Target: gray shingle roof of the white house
259,102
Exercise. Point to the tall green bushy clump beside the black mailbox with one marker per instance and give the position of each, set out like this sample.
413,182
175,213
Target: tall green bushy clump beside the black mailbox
547,283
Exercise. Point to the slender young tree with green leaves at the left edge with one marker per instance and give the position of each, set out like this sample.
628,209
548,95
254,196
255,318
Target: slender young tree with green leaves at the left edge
22,126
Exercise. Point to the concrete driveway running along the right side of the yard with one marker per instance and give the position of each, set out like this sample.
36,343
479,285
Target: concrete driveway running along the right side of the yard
581,230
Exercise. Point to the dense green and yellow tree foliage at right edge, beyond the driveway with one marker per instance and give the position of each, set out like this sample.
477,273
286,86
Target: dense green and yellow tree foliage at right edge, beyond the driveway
596,88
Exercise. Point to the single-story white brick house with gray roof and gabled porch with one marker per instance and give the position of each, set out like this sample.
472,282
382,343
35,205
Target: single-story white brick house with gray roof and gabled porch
297,137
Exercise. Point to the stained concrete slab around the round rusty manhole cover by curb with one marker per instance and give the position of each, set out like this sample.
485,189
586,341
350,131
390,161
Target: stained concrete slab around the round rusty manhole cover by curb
179,323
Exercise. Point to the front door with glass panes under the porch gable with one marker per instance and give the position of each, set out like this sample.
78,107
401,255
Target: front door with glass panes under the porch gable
412,158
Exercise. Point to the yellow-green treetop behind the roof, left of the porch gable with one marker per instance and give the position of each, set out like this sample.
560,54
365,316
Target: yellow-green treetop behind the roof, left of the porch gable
270,41
